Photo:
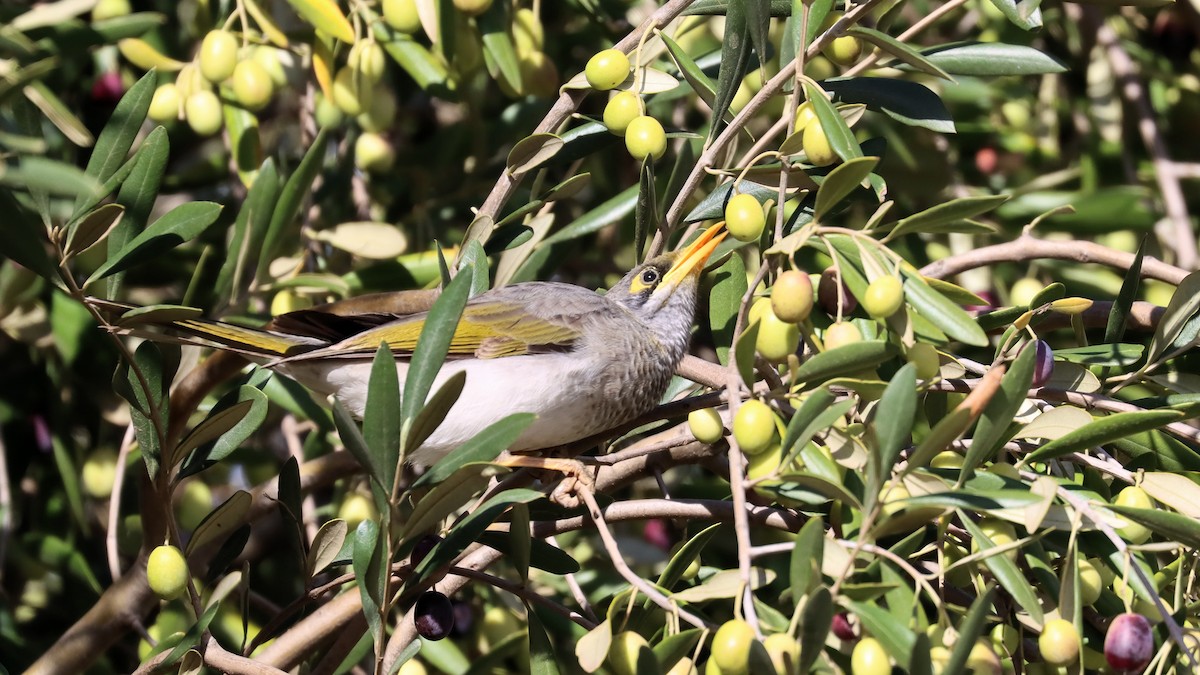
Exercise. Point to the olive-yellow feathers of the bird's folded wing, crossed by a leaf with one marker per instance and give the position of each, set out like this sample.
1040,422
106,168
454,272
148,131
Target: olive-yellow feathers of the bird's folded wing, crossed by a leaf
489,328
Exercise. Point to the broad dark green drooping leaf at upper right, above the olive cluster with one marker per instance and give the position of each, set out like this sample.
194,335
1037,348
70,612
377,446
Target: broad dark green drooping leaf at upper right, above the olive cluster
905,101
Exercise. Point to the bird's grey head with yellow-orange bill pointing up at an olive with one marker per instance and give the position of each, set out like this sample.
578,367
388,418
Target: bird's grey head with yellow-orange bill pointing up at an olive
663,291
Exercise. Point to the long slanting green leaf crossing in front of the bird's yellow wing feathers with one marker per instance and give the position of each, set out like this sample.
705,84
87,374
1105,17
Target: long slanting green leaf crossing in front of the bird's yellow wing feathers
433,347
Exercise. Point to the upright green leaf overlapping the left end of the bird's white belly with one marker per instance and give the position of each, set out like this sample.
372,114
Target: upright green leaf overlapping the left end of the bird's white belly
381,425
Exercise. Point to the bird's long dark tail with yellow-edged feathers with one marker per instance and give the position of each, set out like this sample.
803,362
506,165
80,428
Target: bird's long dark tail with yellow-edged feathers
189,327
